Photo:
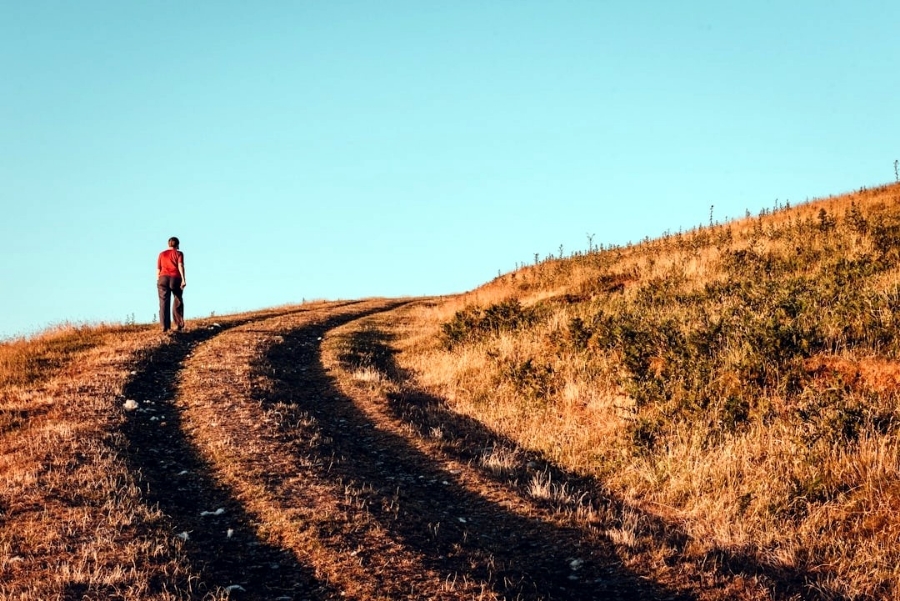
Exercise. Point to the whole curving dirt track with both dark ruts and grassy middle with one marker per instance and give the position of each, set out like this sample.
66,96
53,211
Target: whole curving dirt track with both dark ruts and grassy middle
294,478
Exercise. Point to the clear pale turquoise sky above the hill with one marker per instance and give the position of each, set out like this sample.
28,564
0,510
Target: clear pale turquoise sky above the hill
339,149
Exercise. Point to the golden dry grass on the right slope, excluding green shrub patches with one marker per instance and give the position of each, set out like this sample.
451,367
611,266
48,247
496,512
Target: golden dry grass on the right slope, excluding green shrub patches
819,507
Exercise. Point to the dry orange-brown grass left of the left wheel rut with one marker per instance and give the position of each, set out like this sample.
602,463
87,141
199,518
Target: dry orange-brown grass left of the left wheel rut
73,522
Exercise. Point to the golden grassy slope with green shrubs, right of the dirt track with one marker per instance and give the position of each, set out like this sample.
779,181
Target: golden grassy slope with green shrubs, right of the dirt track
740,380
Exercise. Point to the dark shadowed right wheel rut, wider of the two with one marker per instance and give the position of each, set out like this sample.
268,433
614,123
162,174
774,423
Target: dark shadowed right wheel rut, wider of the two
423,506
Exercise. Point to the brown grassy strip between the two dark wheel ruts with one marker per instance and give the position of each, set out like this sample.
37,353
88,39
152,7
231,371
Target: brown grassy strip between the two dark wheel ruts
266,452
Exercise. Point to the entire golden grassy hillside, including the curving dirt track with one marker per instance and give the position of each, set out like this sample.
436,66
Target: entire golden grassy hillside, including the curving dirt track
709,415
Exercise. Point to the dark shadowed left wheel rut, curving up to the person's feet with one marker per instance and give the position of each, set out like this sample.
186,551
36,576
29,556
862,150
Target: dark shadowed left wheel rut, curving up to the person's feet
174,477
